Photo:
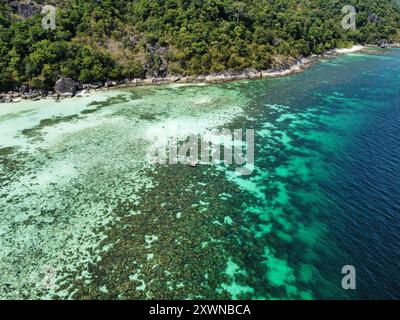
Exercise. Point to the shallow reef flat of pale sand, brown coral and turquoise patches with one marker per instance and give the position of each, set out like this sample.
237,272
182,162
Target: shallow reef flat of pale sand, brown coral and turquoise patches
81,199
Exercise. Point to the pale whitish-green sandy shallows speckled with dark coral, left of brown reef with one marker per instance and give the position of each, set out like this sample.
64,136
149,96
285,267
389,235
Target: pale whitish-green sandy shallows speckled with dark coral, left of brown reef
66,166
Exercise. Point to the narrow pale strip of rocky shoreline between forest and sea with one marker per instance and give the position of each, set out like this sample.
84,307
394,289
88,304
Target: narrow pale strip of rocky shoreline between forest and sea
298,66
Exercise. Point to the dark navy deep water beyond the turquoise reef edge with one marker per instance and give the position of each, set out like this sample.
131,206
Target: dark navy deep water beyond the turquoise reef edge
366,188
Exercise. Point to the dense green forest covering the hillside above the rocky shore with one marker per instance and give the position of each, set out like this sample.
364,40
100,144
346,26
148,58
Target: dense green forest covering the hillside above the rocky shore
115,39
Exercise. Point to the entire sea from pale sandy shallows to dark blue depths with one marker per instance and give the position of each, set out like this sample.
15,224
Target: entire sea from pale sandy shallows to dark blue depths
77,194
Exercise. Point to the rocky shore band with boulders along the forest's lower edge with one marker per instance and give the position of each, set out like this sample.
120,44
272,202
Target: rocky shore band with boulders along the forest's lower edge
297,66
